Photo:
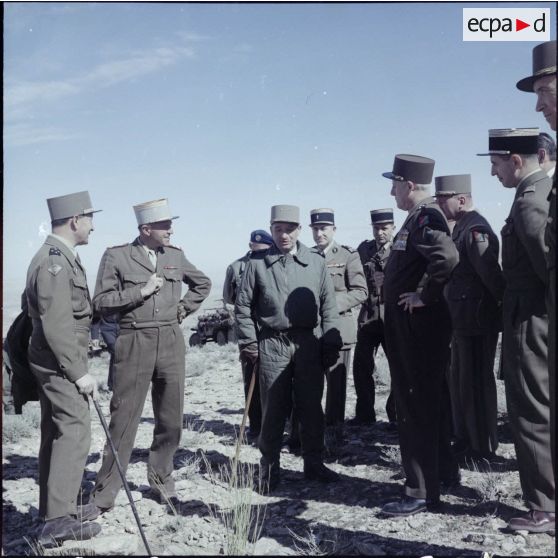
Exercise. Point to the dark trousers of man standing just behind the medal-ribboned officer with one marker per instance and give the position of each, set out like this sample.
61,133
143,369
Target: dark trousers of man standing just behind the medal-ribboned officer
472,388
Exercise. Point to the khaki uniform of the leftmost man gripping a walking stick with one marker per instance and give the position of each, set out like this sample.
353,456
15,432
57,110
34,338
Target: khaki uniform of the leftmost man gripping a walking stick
60,307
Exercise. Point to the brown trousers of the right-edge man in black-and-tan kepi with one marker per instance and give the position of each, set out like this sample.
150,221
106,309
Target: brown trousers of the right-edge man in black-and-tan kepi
527,394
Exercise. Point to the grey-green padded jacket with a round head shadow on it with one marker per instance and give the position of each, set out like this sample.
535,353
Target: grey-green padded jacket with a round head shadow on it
284,291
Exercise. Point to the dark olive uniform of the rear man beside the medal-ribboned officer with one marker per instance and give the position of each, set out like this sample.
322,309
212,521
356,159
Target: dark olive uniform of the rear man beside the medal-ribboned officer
370,335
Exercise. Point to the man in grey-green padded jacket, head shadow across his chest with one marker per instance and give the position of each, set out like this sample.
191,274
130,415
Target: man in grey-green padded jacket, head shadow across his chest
287,318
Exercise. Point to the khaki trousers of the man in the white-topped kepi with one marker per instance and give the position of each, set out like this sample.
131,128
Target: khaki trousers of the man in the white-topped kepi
142,357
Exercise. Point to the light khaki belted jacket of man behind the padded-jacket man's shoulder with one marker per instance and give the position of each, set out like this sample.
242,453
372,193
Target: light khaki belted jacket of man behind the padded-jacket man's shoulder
349,282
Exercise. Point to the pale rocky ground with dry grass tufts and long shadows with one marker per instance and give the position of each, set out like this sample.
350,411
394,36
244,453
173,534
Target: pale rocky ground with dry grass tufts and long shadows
301,518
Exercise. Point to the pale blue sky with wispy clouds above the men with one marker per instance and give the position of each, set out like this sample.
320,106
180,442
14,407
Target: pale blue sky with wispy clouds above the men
227,109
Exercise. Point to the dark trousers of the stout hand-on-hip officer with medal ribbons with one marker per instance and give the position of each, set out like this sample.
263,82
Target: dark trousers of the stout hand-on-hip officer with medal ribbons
418,352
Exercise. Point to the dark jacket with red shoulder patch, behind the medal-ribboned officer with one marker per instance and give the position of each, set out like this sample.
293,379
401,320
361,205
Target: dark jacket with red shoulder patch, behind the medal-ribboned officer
476,287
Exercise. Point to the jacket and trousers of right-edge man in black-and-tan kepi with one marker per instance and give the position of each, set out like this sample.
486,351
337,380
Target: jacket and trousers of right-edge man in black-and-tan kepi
525,339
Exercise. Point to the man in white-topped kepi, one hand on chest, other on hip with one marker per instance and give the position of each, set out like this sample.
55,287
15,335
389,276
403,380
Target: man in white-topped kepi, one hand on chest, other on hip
142,281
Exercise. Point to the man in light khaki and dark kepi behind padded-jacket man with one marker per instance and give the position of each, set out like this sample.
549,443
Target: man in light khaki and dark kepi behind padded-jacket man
349,282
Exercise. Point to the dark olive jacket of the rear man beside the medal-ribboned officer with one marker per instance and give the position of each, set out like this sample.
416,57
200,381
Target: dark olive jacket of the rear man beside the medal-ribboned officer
372,260
